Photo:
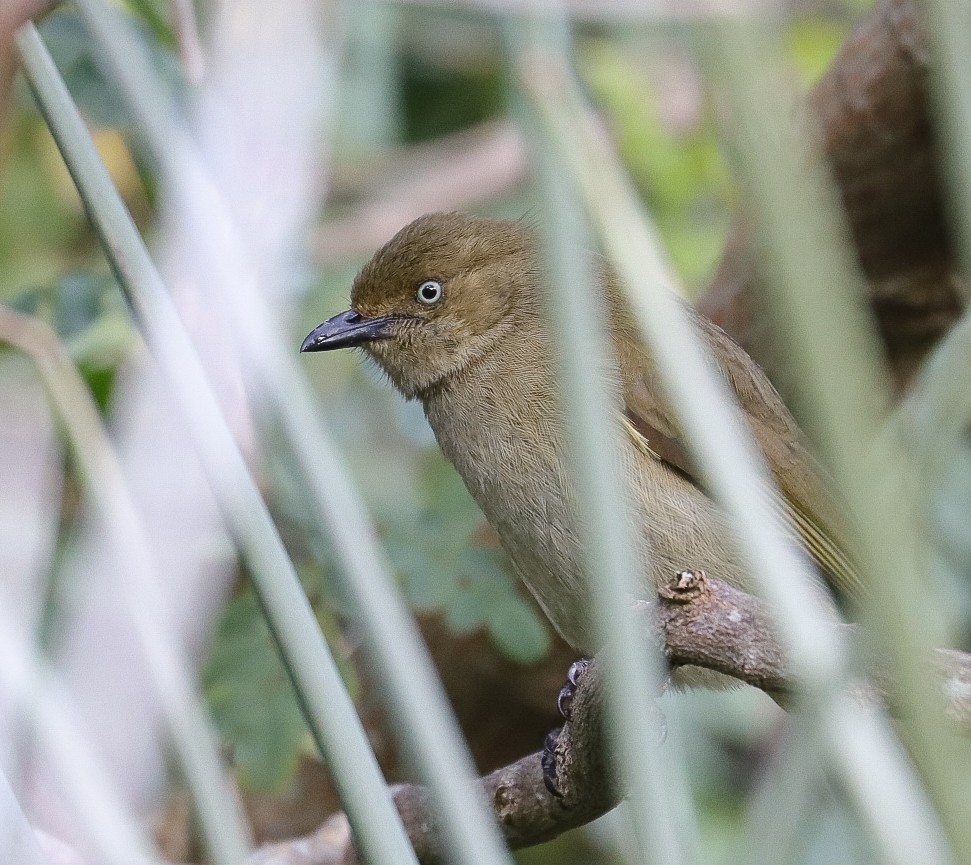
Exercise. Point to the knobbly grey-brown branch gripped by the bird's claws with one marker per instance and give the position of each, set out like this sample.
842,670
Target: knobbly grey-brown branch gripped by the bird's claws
704,623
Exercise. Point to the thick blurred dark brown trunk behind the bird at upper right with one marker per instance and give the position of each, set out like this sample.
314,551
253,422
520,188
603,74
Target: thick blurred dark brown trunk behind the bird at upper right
873,111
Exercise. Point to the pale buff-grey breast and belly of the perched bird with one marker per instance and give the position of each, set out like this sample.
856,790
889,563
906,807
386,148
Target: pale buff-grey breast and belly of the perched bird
505,438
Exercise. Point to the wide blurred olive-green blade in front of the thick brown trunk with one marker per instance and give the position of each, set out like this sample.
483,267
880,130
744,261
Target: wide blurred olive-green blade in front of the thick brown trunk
816,299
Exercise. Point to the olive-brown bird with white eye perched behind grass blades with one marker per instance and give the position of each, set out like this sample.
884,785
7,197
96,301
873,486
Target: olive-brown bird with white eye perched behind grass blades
451,309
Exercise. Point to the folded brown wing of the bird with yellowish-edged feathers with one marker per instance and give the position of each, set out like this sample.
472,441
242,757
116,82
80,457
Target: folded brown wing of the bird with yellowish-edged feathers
803,502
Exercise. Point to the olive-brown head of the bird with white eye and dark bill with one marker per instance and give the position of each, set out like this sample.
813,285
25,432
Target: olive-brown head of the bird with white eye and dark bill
438,295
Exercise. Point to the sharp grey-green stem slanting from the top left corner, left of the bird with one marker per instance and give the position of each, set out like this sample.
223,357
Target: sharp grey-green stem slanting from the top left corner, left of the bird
328,707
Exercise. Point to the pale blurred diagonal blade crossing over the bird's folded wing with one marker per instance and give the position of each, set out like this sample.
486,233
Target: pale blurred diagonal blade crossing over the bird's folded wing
894,808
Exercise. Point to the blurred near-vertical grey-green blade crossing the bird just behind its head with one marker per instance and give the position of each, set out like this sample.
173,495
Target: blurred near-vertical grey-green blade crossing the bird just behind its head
578,325
